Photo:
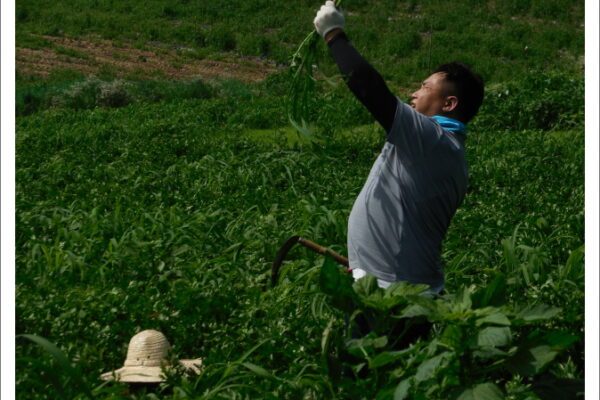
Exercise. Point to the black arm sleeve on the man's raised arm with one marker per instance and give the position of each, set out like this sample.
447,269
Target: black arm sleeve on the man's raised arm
364,81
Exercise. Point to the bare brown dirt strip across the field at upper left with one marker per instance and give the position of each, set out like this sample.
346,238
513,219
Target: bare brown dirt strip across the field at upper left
92,56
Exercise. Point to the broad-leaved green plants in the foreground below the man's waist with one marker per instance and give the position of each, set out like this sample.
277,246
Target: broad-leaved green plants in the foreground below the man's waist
472,350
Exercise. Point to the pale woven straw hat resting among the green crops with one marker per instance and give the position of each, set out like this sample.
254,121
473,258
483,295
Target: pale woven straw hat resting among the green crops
146,355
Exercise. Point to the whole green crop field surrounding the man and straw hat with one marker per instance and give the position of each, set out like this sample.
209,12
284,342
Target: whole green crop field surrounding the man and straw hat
152,197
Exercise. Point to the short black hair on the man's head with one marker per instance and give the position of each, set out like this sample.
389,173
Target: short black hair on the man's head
467,86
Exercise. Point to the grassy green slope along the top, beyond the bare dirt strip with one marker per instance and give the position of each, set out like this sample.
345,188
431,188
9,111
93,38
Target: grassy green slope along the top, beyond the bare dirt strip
402,38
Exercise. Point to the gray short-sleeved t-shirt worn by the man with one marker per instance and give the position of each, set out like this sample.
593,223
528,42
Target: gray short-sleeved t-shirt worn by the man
400,217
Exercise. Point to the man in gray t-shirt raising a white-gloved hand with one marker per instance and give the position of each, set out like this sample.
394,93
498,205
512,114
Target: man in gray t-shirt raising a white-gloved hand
400,218
